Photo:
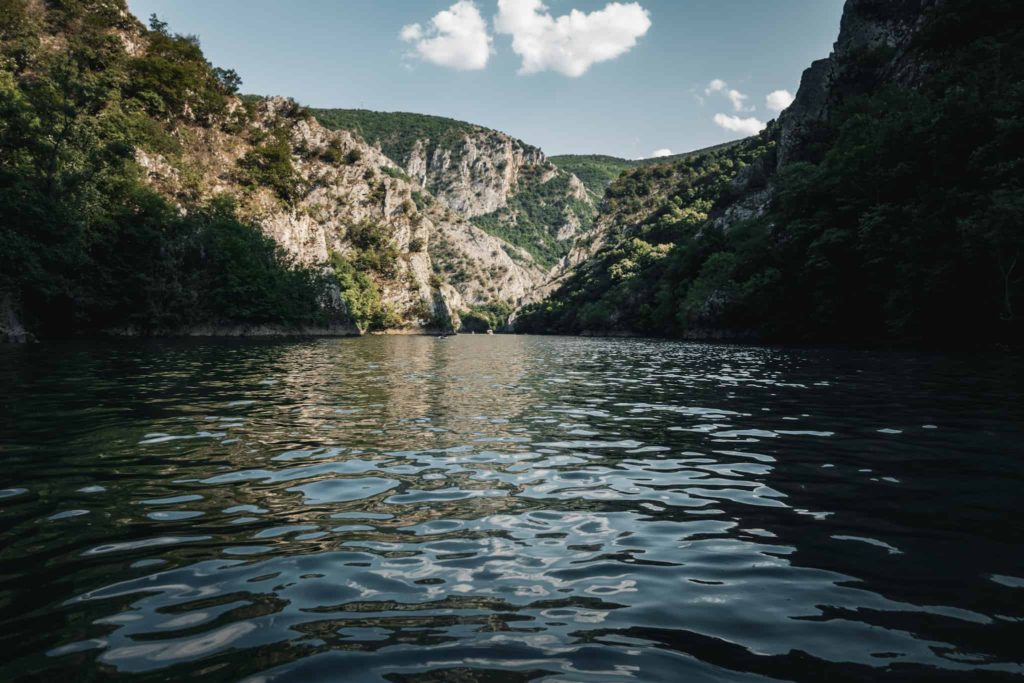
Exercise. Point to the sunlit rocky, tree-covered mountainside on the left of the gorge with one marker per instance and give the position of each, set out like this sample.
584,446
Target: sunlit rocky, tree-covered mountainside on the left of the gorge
140,194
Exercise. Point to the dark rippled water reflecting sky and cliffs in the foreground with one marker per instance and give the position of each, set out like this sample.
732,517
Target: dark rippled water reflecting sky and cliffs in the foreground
509,508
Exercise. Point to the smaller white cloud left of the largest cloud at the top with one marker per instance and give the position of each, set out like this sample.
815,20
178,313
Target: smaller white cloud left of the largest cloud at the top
456,38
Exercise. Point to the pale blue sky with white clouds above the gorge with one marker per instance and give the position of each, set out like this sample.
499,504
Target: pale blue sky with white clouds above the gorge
628,79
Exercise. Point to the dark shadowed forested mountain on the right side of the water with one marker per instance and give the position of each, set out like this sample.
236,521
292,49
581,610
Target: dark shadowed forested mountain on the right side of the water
883,206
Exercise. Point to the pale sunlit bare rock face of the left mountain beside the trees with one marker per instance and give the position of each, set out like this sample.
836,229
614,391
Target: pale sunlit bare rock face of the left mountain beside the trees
345,184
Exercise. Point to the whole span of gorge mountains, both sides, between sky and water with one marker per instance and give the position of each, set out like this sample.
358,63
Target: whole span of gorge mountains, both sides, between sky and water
141,194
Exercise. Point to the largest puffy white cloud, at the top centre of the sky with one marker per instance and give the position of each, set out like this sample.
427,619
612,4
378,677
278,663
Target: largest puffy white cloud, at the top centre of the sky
573,44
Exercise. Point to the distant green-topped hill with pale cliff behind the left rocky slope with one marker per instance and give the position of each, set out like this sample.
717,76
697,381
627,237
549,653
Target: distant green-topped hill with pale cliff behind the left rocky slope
504,186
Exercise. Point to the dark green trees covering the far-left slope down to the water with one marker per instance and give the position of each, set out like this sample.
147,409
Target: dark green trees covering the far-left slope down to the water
84,244
